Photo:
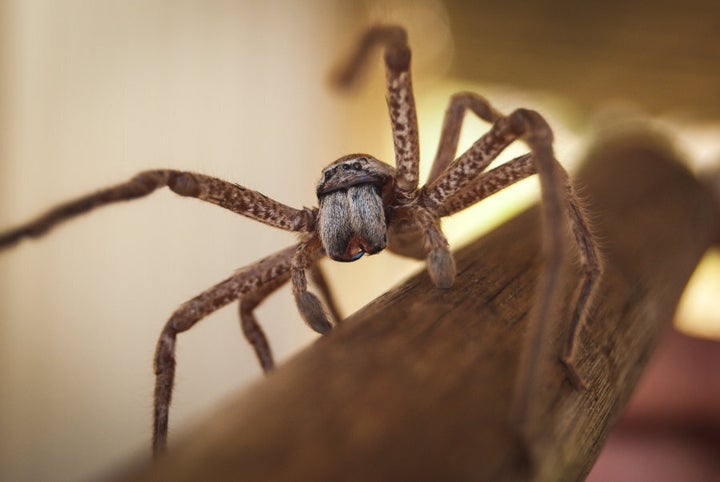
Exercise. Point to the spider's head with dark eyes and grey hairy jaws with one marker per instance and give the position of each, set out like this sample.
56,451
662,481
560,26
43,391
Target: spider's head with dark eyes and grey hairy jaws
352,193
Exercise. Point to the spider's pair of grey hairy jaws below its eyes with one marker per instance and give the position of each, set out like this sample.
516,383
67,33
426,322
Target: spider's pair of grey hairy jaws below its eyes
351,222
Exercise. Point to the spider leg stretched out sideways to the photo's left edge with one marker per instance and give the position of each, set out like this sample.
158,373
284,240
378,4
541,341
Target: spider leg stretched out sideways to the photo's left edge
222,193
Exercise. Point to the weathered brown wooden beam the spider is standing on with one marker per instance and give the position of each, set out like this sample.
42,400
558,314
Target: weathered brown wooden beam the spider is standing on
418,385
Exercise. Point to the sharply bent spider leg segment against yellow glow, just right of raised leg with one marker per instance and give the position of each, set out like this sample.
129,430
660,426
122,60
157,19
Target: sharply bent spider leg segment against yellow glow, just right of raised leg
452,124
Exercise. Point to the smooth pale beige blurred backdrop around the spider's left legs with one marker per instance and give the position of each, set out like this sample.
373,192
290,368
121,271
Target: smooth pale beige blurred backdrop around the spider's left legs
93,92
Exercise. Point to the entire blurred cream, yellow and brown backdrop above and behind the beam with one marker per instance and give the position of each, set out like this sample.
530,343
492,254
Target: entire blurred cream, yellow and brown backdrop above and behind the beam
93,92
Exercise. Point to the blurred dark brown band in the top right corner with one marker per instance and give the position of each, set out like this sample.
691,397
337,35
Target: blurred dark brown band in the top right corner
662,55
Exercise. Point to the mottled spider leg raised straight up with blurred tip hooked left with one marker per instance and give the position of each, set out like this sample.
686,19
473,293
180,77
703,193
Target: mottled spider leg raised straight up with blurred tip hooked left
400,99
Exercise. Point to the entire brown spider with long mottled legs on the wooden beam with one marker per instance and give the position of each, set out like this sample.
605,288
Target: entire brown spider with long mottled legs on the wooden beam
365,206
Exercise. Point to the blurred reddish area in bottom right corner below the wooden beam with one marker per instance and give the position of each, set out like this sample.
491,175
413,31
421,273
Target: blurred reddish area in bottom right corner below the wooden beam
671,427
